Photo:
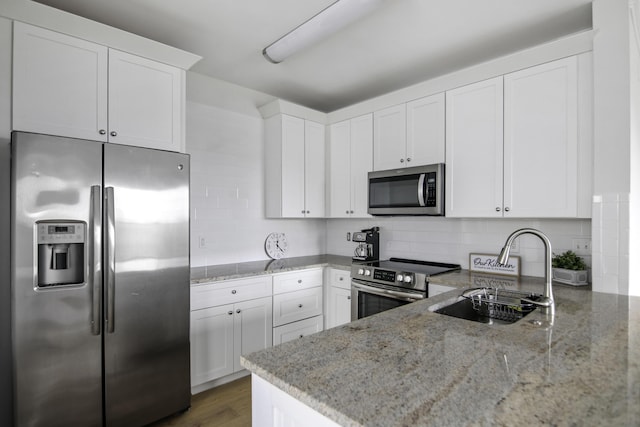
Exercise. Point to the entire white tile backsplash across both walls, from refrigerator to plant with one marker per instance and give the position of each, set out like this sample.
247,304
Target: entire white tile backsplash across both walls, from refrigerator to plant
228,223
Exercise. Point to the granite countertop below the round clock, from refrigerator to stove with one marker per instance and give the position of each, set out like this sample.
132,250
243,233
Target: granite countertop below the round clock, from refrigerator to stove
255,268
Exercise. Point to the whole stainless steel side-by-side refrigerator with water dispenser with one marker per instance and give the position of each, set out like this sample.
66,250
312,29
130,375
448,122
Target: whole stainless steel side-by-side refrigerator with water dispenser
100,282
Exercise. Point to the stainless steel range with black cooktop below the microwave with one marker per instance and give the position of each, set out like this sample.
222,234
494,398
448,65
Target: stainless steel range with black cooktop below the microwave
382,285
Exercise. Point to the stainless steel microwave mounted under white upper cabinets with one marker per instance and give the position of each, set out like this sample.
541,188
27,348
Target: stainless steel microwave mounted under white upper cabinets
417,190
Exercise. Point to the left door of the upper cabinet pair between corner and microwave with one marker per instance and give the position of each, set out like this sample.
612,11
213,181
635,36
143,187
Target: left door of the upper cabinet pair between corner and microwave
339,194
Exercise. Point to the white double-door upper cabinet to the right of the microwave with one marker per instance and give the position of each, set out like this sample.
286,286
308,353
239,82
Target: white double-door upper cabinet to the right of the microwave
530,171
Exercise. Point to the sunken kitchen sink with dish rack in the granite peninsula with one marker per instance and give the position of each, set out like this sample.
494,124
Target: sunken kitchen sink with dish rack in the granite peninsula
489,306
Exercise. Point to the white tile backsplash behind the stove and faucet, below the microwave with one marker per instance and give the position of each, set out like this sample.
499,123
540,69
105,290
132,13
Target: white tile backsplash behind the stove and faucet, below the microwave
451,239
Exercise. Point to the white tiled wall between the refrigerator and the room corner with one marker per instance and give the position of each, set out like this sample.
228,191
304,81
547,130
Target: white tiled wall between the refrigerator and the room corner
227,191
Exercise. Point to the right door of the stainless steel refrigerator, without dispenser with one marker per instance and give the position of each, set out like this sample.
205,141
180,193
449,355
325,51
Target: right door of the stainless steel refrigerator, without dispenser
146,331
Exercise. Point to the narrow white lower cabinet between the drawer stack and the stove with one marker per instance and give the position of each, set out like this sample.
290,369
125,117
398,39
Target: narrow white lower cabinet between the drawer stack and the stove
338,306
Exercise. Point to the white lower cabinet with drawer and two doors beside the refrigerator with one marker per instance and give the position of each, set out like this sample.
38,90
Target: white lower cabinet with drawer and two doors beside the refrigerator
220,334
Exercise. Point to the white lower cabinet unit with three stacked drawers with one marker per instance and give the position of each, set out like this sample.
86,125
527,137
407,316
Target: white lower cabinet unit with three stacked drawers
297,304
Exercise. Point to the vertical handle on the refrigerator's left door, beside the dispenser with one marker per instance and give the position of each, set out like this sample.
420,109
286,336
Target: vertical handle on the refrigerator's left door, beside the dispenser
95,263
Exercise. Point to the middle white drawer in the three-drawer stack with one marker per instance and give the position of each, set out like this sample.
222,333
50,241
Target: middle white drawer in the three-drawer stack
294,306
